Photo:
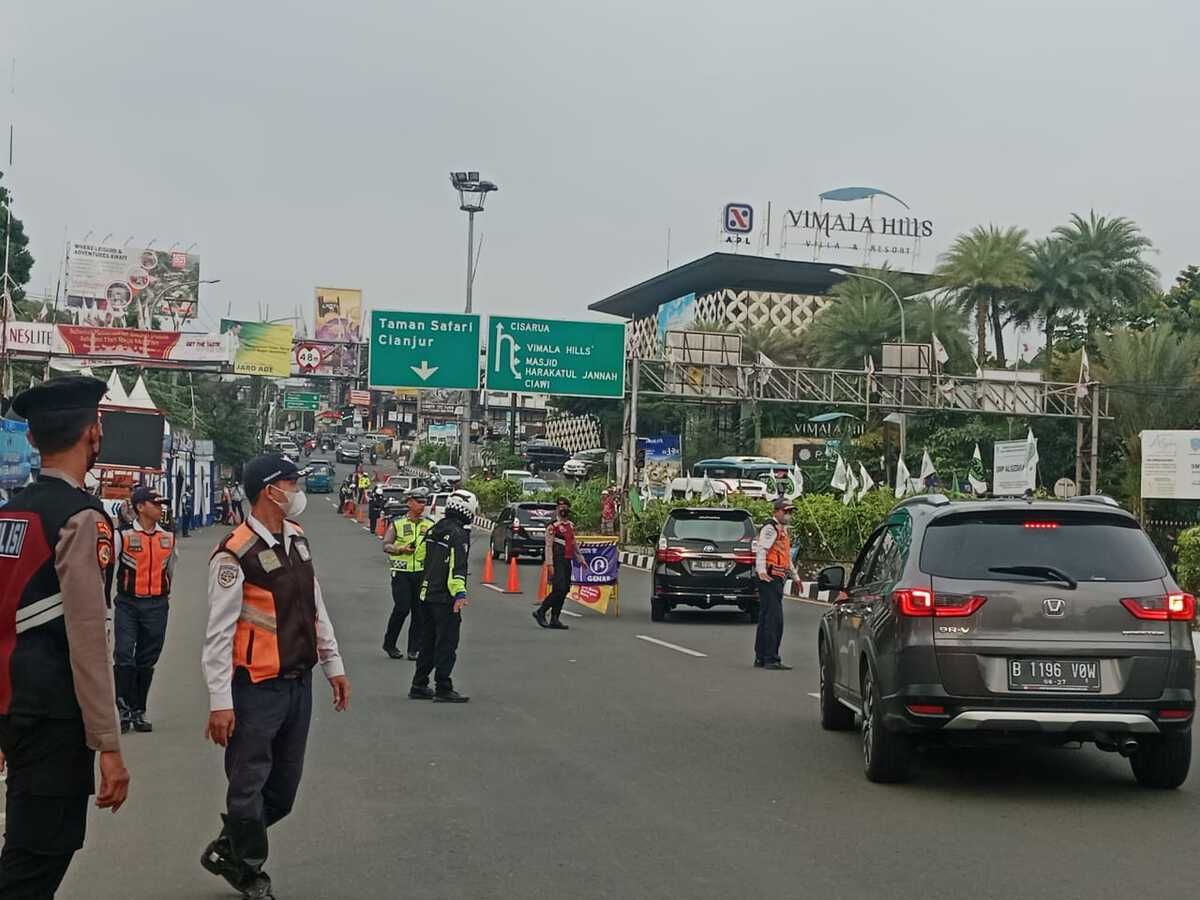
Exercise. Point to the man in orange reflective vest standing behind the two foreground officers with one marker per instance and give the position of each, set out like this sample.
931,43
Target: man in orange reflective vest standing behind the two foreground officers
146,563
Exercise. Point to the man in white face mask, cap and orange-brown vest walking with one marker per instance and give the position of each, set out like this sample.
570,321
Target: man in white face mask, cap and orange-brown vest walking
268,629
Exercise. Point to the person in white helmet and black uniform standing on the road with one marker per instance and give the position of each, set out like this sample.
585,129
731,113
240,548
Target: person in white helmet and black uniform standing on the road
443,596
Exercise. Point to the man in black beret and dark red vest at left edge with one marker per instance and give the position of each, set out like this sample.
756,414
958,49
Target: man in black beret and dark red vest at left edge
57,709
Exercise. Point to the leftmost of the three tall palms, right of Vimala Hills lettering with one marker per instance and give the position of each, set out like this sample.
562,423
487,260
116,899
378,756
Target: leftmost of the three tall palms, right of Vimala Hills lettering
980,269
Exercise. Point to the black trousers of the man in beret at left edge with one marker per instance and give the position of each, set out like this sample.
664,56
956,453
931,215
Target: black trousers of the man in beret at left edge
51,777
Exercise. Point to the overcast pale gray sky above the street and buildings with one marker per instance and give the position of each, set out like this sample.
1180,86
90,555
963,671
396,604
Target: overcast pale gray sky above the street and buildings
309,143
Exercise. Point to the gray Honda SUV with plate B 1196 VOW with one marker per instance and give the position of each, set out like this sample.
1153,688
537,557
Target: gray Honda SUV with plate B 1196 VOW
1010,622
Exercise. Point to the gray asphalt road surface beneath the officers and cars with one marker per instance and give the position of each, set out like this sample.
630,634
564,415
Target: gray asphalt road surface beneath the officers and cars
593,764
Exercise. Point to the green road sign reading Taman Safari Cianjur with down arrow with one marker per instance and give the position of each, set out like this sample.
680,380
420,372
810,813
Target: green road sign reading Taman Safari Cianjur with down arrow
424,350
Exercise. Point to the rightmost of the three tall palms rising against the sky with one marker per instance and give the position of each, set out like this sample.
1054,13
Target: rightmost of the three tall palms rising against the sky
1121,278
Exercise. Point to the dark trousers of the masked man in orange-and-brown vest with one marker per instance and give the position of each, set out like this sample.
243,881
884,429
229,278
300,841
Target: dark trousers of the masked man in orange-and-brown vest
265,759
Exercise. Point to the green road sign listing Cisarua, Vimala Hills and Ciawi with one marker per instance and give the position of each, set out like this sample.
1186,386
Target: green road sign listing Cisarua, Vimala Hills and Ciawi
580,359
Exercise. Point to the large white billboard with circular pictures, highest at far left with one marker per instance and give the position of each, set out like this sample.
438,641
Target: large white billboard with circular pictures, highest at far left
104,283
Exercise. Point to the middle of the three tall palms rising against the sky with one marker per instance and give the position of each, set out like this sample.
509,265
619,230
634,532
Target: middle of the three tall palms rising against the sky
1061,286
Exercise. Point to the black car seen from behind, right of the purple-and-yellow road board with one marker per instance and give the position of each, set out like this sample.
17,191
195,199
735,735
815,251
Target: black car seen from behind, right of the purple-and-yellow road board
705,560
